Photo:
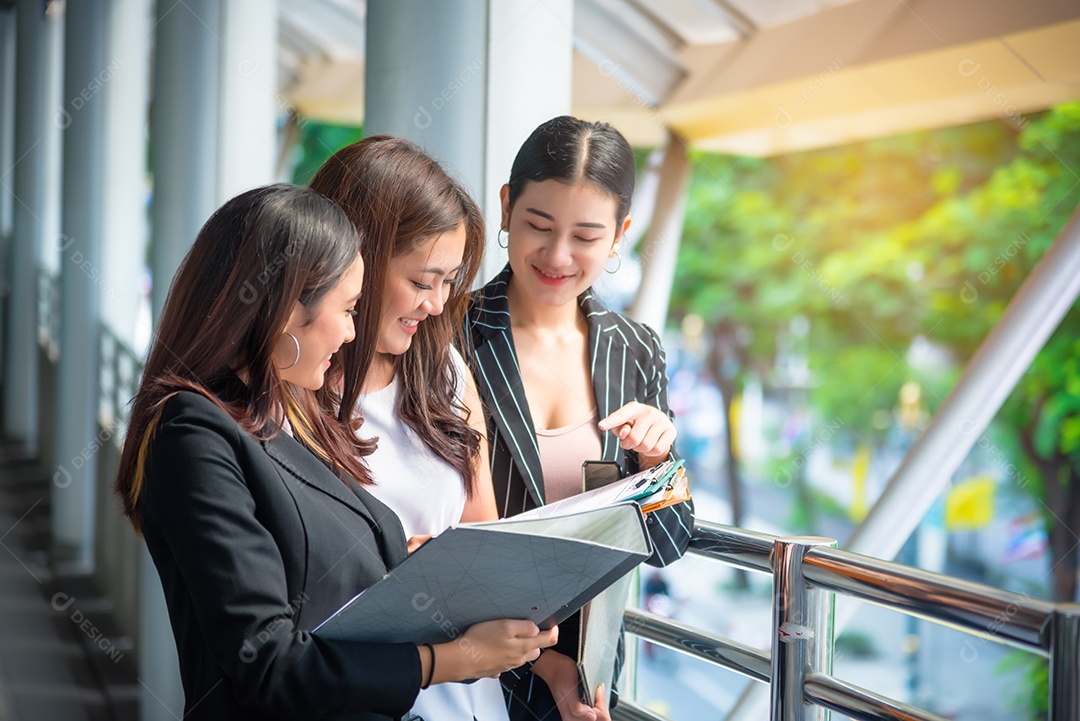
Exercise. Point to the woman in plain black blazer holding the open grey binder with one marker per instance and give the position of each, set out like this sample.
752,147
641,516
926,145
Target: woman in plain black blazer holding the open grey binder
248,496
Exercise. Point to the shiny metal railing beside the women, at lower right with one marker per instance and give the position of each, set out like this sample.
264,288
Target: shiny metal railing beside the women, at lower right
976,609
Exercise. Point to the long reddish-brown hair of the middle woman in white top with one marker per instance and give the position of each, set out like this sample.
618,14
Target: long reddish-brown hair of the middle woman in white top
400,199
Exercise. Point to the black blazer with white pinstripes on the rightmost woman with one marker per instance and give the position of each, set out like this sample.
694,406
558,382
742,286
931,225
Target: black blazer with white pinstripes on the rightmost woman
627,363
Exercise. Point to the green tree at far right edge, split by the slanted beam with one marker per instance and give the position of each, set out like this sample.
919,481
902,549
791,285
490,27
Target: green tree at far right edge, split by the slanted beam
991,239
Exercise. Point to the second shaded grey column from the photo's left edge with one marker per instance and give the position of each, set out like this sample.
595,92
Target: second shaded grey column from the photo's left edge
75,426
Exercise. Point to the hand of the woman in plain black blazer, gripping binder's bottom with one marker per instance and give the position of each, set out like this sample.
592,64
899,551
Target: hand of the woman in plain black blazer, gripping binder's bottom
490,649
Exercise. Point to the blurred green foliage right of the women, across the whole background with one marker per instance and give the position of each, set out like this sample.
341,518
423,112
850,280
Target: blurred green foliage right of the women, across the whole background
854,259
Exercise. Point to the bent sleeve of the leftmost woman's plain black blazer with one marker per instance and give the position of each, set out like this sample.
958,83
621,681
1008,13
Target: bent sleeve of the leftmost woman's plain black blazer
199,505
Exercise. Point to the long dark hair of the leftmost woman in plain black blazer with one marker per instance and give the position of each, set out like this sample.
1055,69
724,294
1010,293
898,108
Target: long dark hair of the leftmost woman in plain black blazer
256,257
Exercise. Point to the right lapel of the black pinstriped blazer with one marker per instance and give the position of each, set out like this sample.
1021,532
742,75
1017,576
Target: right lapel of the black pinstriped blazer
607,362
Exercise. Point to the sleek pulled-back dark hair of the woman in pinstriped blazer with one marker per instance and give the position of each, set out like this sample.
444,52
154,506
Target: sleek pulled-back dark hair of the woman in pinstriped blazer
570,151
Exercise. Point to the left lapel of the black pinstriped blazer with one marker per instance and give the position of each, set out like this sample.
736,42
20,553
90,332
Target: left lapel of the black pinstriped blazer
497,368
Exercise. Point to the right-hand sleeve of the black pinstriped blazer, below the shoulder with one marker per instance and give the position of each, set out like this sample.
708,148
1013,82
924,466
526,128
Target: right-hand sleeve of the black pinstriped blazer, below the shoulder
669,528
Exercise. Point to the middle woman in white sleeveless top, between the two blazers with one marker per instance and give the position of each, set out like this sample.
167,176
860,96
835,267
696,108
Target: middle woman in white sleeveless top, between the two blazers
412,392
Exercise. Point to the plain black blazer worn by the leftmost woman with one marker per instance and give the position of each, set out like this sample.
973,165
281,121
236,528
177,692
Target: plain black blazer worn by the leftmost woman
256,545
